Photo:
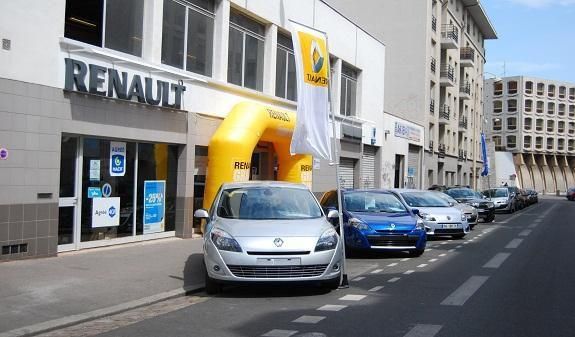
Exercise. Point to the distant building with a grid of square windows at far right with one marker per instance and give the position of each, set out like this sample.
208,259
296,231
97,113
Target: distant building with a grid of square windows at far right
533,120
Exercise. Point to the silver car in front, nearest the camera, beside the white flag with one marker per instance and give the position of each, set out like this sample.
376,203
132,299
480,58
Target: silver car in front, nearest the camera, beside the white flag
269,232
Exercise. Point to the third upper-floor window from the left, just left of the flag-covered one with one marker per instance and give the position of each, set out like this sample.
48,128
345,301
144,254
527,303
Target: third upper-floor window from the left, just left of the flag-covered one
246,52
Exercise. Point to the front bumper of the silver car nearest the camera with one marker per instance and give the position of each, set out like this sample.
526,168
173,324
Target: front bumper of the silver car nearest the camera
232,267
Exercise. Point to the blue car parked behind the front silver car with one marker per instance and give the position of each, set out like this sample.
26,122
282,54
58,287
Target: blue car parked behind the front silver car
378,220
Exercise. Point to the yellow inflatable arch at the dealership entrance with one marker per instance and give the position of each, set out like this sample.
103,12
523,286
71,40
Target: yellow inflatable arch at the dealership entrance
231,147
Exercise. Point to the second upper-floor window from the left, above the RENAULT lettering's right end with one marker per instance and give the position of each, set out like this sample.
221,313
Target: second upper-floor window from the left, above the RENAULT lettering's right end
188,34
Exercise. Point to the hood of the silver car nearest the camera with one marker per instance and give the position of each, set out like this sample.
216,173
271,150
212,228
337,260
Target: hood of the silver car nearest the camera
274,228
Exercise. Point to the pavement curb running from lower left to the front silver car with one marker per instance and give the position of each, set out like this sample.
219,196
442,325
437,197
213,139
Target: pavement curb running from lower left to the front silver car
63,322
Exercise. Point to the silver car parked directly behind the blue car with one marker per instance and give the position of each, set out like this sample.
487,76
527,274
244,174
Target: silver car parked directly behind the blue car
439,217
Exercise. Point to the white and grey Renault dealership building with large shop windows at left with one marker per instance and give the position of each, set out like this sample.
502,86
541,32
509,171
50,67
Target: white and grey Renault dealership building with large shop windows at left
108,108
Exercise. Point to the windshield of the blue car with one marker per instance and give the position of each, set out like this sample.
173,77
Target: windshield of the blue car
373,202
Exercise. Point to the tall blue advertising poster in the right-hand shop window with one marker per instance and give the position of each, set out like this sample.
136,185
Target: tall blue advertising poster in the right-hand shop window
154,206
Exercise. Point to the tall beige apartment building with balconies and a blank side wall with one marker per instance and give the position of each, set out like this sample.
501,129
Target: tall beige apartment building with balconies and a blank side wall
434,77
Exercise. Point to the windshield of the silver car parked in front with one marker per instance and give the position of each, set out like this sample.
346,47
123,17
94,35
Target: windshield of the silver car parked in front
268,203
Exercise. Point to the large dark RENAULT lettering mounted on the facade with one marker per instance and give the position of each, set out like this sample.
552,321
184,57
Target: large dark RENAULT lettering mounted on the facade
108,82
